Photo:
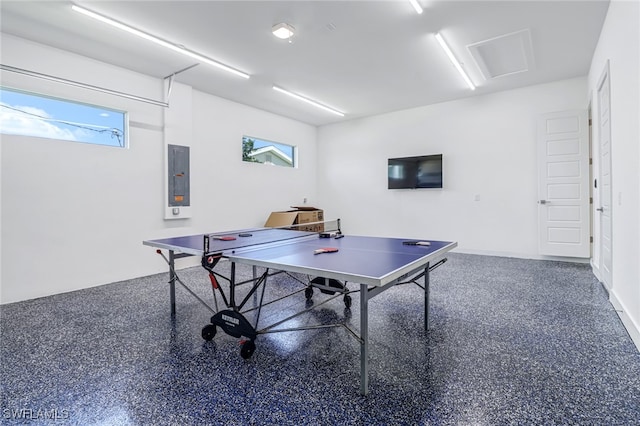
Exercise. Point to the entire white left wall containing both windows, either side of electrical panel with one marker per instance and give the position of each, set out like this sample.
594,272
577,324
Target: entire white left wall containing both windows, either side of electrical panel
74,215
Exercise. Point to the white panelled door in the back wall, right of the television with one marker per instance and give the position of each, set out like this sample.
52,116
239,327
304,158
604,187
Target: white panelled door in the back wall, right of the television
563,184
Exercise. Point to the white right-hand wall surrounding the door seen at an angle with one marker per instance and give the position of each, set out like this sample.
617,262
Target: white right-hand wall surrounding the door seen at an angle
619,46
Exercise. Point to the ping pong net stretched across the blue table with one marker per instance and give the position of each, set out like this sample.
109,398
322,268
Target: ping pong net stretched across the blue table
220,242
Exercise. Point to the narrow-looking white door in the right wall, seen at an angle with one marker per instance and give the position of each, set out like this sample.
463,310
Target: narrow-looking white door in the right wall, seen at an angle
604,181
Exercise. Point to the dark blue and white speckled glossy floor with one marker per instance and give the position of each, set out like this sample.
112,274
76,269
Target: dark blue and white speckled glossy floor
511,342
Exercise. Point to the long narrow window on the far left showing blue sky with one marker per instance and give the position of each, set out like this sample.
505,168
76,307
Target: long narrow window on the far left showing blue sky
29,114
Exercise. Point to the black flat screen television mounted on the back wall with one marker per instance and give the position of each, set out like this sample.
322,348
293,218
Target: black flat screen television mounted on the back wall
424,171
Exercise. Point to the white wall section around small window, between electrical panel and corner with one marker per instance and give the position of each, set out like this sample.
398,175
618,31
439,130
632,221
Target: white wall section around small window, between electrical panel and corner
240,194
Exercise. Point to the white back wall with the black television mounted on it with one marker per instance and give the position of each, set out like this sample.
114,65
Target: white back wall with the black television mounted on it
489,151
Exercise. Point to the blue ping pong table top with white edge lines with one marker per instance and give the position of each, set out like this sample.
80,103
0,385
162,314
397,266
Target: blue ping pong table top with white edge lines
365,260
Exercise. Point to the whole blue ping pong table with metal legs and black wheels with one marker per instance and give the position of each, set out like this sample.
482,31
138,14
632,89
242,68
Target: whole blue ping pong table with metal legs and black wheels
375,264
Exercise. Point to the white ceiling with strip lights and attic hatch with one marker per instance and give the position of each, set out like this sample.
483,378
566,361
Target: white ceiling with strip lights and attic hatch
361,57
